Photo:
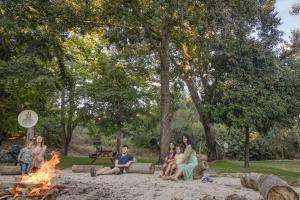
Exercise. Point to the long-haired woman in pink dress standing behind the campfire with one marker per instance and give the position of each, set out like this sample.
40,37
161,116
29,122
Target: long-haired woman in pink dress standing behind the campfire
37,154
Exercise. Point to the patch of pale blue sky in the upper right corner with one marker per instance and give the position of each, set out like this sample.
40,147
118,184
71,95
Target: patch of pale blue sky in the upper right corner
289,22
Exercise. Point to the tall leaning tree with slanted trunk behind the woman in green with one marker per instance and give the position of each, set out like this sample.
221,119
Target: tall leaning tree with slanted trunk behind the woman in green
202,37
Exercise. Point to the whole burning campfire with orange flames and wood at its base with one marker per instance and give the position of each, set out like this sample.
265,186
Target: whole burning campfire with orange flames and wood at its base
37,183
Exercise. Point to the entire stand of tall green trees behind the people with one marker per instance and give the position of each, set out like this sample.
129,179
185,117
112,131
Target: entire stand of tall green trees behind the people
135,68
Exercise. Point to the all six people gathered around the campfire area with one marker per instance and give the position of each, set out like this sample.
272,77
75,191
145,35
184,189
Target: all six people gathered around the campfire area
177,164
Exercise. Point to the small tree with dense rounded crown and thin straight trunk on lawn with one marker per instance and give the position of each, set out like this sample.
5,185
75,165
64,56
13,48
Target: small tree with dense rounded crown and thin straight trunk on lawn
255,97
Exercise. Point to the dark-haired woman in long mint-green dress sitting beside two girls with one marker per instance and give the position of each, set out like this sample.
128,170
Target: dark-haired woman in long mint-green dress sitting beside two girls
189,162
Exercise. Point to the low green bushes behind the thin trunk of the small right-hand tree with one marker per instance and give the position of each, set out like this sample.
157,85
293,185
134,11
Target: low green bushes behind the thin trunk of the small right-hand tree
276,144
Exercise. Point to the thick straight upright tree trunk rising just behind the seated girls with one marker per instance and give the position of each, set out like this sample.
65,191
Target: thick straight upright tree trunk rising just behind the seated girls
165,114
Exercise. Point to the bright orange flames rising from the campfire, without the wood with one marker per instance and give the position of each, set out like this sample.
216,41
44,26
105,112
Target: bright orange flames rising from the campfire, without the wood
42,176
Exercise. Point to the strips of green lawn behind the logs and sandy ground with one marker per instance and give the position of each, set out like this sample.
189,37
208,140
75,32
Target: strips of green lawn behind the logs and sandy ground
289,170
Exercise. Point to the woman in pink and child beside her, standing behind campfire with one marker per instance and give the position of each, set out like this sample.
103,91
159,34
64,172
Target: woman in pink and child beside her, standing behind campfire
32,155
